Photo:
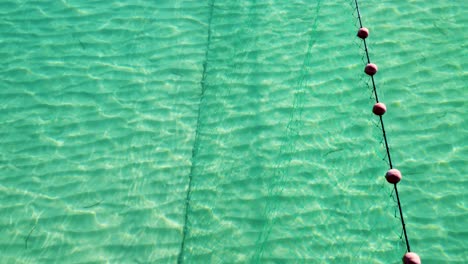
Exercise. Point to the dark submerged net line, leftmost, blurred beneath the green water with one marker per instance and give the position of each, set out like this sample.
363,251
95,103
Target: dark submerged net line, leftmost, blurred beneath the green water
197,138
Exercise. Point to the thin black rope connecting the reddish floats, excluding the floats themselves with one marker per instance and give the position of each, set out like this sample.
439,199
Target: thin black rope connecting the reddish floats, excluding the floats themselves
384,134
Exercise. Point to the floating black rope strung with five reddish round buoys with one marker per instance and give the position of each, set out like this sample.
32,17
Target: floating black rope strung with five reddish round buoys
393,176
